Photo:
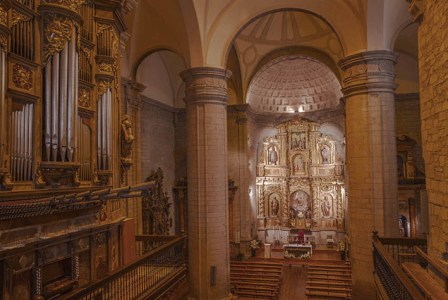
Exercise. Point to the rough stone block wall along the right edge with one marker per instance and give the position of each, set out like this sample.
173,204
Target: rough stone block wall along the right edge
433,61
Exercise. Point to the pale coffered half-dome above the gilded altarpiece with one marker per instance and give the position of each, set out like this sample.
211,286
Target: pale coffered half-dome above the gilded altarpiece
294,85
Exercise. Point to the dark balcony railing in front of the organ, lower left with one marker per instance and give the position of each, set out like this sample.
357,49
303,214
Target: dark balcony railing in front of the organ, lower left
150,277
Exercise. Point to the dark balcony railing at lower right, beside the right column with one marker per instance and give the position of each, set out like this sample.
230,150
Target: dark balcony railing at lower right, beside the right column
396,283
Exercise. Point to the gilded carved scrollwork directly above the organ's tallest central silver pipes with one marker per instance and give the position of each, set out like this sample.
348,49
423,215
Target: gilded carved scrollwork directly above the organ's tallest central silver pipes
57,31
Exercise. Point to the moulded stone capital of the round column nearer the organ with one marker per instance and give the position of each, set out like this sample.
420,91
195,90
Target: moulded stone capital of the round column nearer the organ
206,85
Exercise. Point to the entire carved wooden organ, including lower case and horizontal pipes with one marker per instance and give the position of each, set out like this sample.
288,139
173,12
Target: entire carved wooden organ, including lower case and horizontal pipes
64,142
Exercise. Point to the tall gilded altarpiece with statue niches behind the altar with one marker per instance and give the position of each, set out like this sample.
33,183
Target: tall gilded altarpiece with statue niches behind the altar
300,184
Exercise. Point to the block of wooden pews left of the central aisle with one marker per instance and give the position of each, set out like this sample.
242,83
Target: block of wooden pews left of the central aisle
255,279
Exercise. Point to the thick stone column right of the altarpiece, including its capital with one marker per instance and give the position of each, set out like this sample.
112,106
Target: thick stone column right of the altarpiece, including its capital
368,86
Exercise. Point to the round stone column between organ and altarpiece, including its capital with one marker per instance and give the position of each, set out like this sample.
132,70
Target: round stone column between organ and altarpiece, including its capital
208,241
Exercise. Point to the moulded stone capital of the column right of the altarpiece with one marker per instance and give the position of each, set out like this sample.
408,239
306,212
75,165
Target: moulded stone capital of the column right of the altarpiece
370,71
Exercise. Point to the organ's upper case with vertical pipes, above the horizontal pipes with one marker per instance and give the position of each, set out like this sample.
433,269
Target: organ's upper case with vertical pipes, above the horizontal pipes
59,93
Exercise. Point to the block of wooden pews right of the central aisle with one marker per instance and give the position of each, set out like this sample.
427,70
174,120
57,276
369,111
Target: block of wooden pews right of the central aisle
329,282
